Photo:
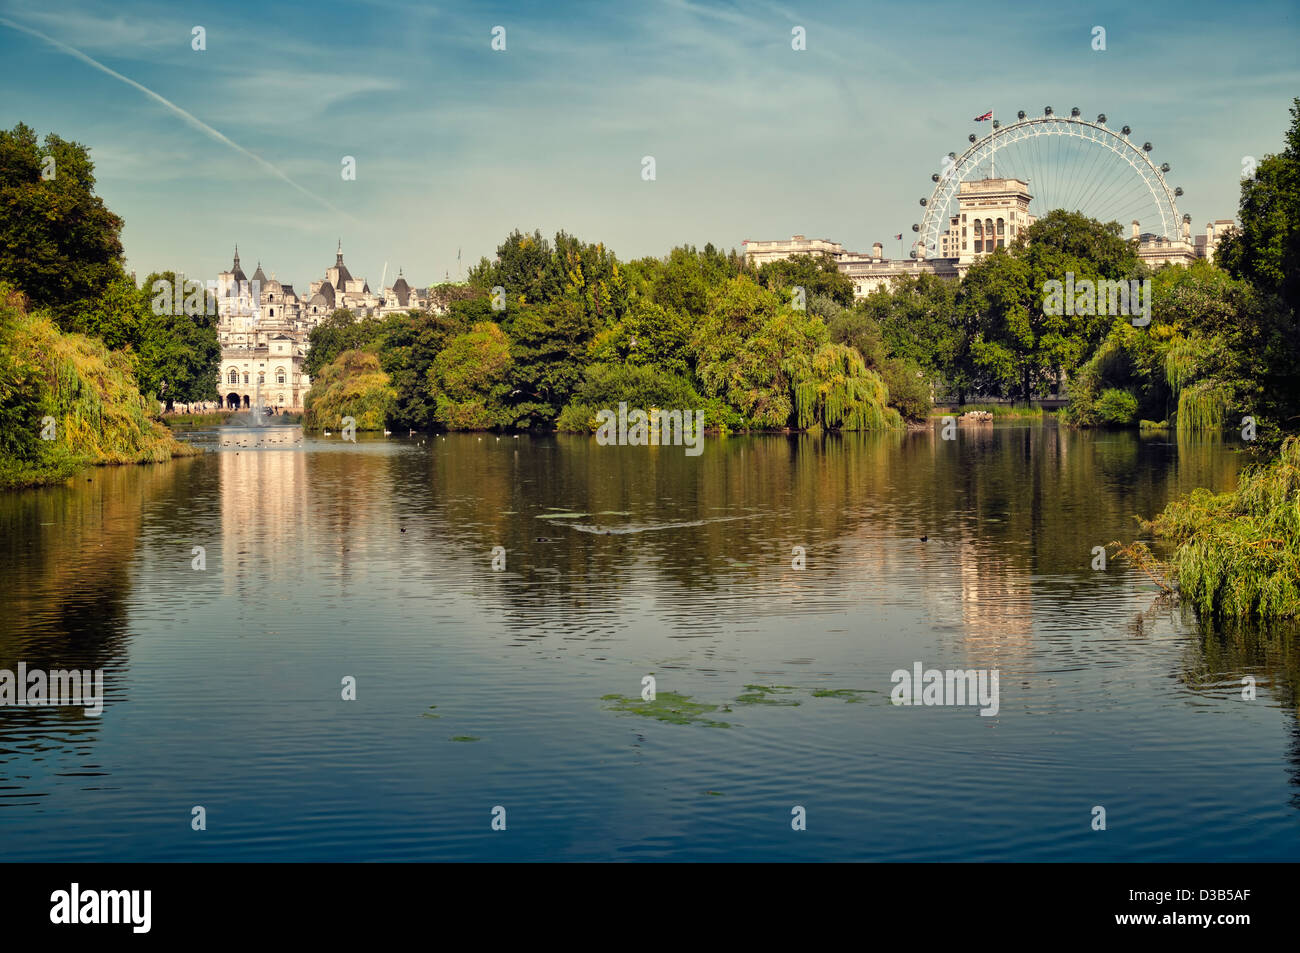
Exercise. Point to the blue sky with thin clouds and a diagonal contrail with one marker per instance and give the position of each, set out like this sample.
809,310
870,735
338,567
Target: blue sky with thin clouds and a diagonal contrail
457,145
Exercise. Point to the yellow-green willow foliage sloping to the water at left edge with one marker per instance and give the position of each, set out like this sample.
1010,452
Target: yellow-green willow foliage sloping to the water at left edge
67,402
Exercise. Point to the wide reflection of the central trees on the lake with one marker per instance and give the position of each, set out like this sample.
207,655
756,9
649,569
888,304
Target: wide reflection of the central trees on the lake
1017,500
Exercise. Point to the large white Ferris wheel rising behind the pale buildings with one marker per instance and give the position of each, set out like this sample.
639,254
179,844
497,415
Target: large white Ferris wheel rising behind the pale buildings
1069,163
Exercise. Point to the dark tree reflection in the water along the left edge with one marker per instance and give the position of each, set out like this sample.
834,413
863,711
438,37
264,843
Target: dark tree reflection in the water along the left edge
67,556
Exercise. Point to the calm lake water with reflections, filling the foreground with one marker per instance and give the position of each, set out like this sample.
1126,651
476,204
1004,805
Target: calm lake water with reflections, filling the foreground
482,688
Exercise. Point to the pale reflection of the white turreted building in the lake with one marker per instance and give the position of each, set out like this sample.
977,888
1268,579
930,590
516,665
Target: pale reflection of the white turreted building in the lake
265,526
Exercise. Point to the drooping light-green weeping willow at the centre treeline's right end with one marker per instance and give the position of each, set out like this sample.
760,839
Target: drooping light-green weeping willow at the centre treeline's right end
835,391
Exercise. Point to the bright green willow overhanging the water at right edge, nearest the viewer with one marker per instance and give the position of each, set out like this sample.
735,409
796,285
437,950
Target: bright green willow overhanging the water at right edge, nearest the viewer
1238,555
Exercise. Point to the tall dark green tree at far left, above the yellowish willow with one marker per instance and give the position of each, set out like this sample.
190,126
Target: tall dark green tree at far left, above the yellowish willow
59,244
